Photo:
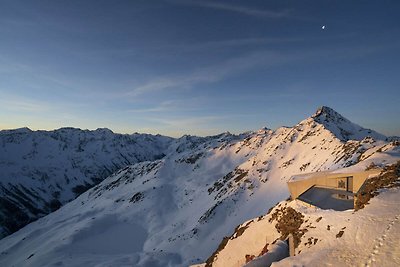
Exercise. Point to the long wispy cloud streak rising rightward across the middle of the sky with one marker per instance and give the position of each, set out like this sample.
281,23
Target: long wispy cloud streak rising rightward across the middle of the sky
238,65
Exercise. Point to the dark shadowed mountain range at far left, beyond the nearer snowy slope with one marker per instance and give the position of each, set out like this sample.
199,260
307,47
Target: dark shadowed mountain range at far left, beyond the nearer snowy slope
42,170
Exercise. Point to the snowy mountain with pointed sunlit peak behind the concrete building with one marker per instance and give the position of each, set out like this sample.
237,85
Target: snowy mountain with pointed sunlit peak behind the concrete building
176,210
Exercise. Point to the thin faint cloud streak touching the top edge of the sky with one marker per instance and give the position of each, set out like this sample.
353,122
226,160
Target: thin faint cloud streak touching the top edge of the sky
244,10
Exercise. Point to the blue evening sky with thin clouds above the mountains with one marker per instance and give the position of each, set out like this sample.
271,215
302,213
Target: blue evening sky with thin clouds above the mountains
197,67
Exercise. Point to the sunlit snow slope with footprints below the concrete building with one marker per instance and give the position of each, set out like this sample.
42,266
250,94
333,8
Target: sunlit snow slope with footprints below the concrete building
371,236
